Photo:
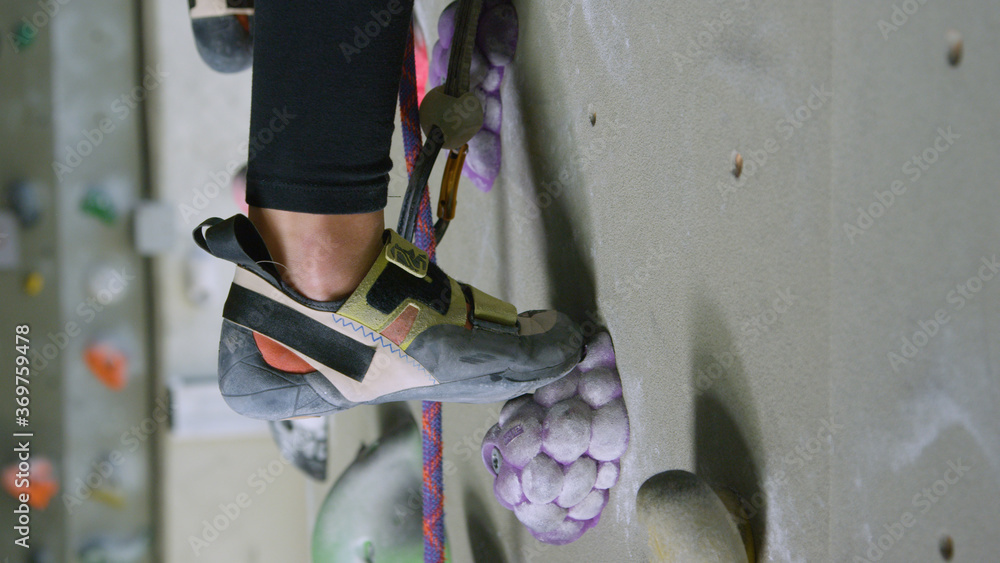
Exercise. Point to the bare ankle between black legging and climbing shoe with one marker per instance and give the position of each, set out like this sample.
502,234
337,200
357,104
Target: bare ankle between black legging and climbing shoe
324,257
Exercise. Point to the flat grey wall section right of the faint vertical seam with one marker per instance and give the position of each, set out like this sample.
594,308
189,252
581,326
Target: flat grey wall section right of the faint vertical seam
913,303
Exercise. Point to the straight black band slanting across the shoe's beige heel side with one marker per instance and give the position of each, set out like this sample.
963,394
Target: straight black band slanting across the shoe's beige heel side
293,329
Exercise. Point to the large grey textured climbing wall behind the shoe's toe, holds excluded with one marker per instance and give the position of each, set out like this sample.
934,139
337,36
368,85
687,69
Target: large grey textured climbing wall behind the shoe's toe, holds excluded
753,329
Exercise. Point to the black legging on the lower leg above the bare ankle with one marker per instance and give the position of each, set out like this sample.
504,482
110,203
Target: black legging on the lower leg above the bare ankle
326,77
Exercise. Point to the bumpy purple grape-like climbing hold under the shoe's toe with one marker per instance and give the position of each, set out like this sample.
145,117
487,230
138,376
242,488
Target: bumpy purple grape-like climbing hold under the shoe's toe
556,454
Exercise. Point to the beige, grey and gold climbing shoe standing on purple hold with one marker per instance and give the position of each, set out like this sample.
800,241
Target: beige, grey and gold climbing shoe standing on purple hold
409,331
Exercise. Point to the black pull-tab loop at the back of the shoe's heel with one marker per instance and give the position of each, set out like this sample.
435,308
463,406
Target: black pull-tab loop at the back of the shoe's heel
237,240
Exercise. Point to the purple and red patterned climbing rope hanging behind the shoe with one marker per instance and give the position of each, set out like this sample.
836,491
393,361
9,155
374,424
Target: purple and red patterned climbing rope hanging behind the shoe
423,237
